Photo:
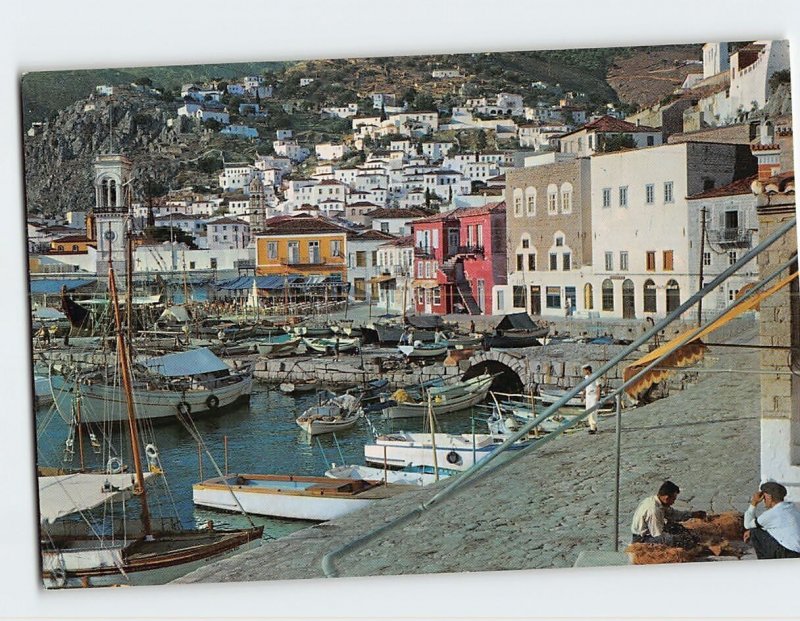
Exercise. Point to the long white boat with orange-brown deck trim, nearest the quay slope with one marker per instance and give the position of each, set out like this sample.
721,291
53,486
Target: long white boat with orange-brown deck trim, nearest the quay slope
288,496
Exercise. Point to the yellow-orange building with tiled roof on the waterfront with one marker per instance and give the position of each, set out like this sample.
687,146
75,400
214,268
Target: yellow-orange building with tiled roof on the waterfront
302,245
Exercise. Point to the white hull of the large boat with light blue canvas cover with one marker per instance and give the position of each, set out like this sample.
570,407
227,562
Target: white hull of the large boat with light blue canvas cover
102,403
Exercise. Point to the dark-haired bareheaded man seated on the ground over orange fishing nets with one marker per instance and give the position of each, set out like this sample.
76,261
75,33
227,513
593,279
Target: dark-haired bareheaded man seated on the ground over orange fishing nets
655,521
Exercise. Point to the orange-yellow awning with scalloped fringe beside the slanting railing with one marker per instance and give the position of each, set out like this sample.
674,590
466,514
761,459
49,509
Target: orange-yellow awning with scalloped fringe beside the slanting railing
686,350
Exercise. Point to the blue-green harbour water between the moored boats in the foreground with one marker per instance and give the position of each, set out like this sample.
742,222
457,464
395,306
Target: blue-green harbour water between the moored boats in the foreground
261,437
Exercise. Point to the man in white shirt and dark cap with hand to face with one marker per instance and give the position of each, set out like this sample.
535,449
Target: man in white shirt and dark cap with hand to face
776,532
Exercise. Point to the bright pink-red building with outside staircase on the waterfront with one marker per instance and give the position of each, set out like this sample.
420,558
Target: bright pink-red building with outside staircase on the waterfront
458,257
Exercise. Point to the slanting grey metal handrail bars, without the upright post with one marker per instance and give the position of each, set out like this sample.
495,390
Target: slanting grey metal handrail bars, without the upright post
328,566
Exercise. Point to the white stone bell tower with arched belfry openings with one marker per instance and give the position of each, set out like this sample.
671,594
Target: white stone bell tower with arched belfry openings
112,211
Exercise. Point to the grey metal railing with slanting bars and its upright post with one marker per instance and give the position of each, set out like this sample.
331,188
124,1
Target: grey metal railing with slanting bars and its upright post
481,469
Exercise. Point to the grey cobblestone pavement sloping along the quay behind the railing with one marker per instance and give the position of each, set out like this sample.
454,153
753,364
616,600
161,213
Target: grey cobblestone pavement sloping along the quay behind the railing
544,508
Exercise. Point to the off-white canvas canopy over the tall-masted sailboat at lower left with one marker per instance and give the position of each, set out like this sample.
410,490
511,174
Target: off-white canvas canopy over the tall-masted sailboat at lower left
64,494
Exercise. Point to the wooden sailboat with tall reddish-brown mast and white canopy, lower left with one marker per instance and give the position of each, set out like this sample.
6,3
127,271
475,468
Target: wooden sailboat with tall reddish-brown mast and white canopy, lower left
77,554
